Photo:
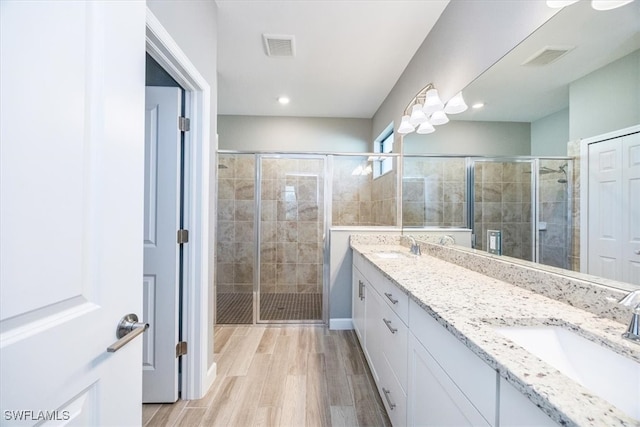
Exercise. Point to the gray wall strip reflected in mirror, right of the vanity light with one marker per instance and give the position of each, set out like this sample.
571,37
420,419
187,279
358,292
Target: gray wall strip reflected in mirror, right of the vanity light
472,138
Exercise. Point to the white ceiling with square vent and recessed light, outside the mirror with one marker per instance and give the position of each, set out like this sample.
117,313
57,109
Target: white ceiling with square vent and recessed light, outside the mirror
348,54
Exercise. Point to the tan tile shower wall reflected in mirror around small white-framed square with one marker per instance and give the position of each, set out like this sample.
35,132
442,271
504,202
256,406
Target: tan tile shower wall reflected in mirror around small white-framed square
502,201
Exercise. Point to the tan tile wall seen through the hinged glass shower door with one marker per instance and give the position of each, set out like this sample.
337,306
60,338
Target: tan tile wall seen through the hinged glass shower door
291,250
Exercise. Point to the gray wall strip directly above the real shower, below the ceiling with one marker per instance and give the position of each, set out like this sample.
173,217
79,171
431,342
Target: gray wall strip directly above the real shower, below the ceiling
315,134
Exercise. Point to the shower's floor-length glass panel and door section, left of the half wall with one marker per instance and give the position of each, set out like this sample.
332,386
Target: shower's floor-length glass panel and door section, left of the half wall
271,224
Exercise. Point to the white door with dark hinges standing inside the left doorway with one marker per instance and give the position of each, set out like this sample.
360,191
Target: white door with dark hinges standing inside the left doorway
161,251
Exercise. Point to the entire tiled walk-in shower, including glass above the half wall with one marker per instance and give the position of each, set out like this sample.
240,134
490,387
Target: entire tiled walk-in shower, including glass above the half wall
274,211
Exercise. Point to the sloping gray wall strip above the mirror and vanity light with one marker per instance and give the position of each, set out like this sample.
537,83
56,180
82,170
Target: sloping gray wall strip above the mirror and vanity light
469,37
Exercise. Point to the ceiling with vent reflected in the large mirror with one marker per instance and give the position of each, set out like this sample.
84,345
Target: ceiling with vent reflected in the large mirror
517,93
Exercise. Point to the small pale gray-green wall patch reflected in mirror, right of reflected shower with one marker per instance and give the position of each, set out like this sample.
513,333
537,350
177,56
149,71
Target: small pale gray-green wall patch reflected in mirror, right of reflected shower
550,134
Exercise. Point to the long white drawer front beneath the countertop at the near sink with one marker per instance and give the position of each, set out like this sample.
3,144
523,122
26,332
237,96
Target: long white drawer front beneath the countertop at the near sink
475,378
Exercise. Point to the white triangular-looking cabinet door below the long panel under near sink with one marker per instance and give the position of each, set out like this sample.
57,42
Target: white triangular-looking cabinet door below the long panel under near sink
433,398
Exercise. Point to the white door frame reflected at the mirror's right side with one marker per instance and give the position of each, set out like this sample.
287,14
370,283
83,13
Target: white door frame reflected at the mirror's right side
584,187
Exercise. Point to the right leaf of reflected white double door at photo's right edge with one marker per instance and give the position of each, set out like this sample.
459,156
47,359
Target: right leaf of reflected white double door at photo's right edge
631,208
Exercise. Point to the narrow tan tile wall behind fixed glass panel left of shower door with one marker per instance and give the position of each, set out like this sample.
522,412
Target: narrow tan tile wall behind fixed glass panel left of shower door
236,213
